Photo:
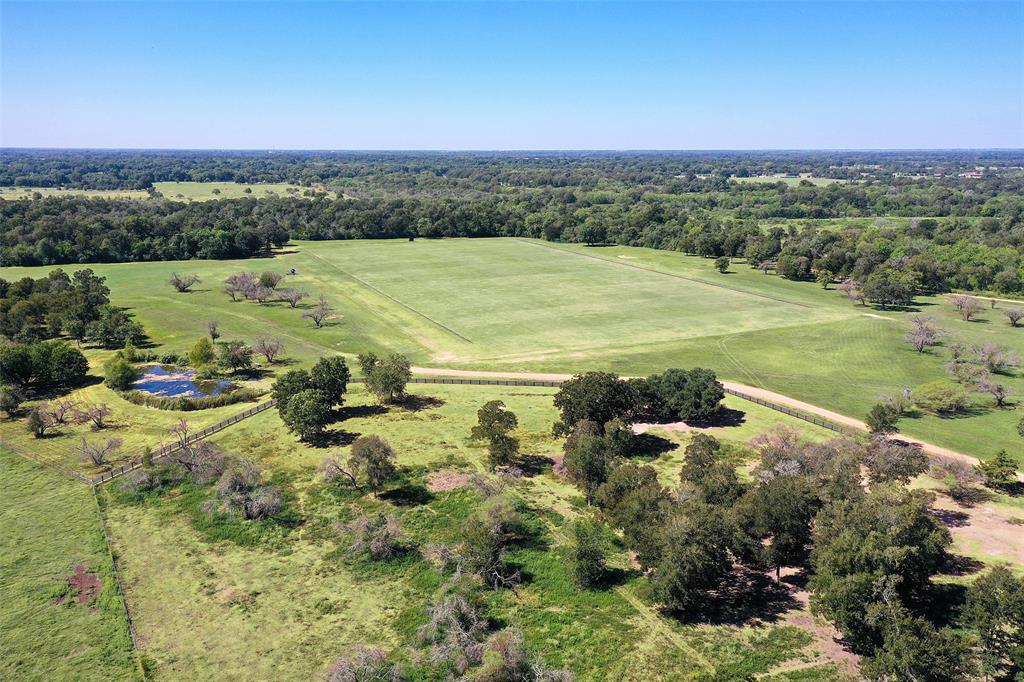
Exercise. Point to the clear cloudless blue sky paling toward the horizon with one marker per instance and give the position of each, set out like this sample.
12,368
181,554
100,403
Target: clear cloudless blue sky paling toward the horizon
500,76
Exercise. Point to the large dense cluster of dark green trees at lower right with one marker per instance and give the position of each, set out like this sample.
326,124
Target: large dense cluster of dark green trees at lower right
871,550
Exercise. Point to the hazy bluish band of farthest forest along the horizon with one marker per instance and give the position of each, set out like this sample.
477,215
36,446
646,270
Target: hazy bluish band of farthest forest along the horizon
97,169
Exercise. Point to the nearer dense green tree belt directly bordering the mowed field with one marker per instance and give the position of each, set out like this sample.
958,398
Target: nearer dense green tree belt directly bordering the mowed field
963,253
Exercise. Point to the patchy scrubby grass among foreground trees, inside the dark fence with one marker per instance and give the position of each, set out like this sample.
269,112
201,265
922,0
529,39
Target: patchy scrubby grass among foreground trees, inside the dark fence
285,606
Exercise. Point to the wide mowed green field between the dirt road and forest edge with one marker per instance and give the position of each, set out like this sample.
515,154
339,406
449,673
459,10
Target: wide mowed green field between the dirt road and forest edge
530,306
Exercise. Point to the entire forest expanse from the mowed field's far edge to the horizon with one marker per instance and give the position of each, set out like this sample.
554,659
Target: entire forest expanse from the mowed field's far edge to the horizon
965,233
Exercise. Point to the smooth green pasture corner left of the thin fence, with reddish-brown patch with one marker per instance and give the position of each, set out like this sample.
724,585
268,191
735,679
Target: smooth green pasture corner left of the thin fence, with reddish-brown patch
52,525
